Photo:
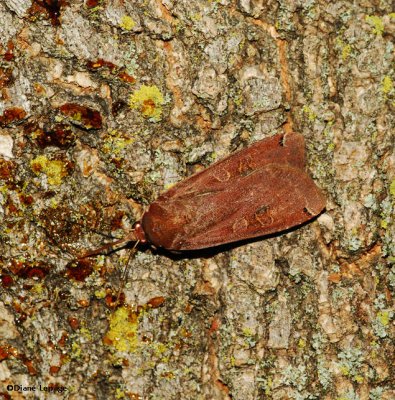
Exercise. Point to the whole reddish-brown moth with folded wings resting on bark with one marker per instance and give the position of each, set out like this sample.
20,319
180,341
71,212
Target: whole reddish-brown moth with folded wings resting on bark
260,190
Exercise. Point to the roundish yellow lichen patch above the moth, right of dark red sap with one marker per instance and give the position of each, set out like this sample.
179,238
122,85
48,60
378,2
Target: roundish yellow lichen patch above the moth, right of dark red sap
148,100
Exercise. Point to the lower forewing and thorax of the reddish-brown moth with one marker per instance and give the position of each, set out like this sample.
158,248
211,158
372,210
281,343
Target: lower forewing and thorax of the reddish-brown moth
270,199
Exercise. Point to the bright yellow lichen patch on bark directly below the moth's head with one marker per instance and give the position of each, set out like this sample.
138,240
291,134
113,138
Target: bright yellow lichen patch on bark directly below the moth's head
122,334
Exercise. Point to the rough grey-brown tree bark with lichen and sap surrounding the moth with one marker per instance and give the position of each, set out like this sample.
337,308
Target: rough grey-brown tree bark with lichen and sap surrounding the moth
104,104
